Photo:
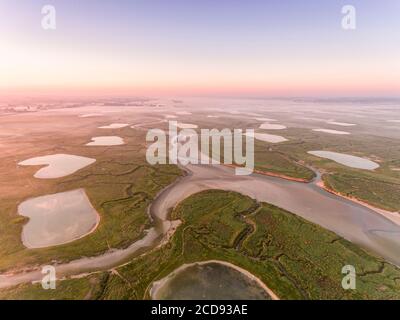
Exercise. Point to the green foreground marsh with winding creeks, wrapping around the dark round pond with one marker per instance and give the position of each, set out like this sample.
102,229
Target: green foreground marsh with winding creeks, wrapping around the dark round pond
294,258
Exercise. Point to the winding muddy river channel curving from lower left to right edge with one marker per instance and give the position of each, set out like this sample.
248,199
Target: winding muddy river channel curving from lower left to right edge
353,221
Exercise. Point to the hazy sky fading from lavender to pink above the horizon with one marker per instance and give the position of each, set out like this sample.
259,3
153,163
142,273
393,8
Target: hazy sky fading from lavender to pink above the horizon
202,47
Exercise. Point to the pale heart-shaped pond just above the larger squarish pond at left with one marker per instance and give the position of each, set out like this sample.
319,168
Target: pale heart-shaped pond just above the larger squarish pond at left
58,165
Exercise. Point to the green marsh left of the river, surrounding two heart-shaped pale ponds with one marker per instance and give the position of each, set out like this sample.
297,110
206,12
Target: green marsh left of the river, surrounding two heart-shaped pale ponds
120,185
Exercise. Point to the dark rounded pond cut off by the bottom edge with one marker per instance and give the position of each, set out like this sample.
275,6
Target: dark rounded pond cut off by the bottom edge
211,281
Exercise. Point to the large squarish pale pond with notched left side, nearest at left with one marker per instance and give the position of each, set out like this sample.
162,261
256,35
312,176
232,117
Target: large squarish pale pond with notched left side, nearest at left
57,218
